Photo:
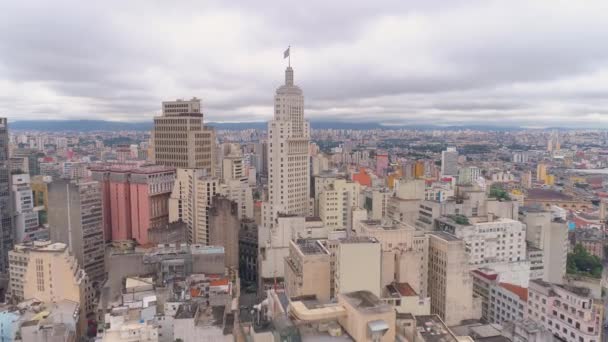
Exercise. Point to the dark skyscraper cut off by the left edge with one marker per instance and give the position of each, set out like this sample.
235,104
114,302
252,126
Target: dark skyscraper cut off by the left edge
6,204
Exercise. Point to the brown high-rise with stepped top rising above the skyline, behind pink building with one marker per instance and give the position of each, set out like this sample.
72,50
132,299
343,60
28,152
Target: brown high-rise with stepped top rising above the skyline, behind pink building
181,139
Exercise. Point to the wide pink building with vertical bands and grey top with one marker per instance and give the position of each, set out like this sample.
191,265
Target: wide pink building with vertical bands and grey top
135,199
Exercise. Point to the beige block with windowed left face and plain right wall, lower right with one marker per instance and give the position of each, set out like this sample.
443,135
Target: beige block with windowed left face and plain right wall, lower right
450,284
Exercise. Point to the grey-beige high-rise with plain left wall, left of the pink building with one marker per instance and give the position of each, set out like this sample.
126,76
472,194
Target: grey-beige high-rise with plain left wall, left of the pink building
76,219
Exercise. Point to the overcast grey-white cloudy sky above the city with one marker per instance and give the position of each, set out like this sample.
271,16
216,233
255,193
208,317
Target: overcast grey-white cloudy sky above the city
528,63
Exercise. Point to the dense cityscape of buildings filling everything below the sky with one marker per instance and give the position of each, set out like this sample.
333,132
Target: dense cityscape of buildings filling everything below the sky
190,232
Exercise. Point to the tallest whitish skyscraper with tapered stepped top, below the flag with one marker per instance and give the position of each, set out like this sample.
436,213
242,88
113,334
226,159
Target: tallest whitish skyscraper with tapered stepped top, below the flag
288,160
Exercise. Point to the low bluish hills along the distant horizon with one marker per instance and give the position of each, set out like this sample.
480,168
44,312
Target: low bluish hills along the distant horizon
101,125
